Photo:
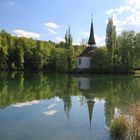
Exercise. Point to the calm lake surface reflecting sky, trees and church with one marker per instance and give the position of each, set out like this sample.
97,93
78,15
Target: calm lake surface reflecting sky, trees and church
63,107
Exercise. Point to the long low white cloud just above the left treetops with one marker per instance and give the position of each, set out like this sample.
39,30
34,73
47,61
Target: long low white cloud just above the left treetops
23,33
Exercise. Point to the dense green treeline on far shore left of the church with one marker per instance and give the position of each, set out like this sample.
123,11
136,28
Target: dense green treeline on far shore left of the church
19,53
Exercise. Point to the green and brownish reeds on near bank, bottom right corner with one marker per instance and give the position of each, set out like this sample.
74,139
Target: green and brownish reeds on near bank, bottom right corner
126,128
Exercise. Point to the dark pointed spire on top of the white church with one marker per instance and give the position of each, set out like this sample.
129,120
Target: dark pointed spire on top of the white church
91,40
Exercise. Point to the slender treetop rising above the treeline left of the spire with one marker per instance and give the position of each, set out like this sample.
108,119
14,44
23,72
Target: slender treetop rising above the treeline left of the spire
68,38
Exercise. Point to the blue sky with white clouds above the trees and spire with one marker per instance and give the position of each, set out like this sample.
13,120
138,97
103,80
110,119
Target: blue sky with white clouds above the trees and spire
49,19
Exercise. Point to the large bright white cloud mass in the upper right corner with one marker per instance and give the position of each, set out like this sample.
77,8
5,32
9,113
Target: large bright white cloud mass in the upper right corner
129,13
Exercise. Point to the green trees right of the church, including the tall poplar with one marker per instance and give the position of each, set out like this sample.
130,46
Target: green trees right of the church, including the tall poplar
121,53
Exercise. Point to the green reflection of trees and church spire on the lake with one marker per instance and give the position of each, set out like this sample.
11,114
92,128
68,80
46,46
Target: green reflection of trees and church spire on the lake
117,91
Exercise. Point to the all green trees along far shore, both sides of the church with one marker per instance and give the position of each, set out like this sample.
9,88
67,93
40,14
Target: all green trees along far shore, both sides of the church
120,55
